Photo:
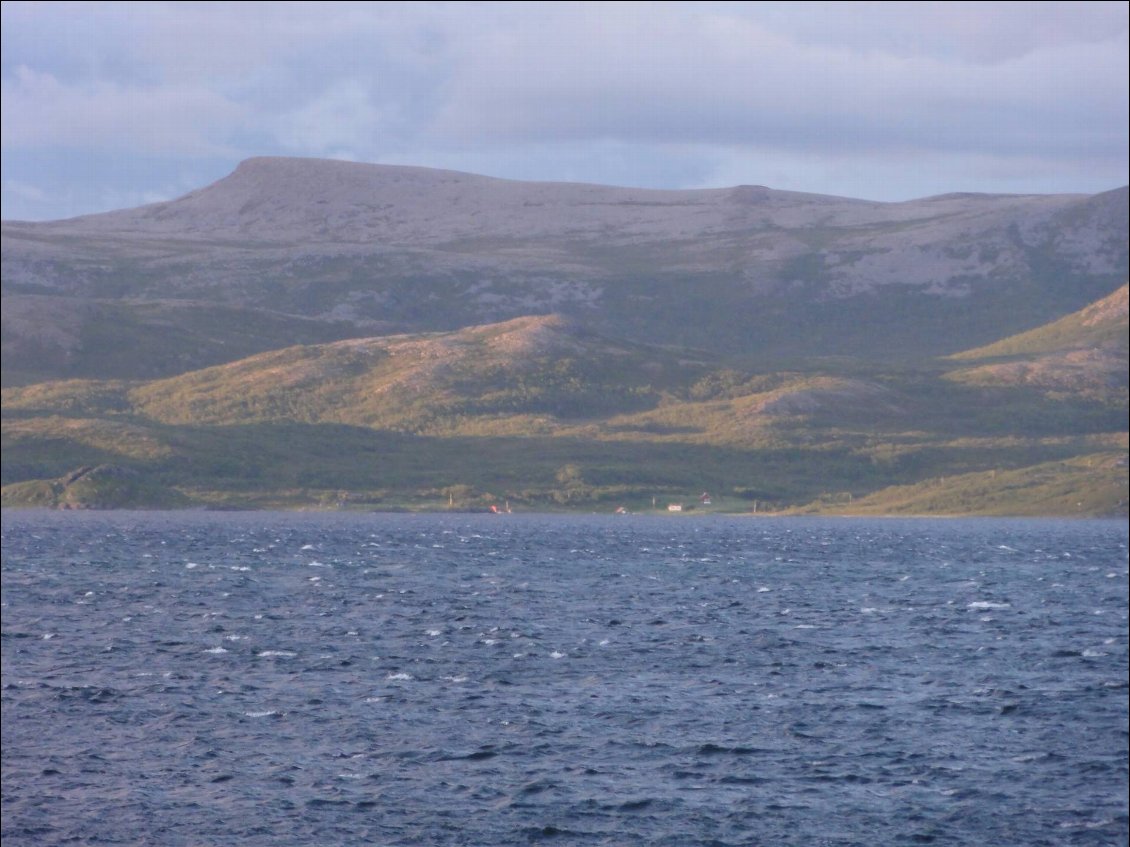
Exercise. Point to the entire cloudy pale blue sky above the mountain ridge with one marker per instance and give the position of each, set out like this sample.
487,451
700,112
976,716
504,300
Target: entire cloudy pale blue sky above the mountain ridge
111,106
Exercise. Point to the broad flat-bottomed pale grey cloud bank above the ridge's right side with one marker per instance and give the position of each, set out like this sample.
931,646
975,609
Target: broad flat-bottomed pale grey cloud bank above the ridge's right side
726,80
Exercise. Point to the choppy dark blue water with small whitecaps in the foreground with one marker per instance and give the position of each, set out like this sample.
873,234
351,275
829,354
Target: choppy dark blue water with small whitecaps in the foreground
280,679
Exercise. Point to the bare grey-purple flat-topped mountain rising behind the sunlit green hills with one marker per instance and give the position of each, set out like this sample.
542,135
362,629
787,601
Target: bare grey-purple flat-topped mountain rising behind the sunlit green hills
282,246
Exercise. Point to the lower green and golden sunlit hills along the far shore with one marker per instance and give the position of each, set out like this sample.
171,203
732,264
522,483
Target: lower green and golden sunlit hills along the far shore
546,415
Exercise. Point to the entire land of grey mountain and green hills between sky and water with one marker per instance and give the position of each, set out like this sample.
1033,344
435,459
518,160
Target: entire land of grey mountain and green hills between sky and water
309,334
